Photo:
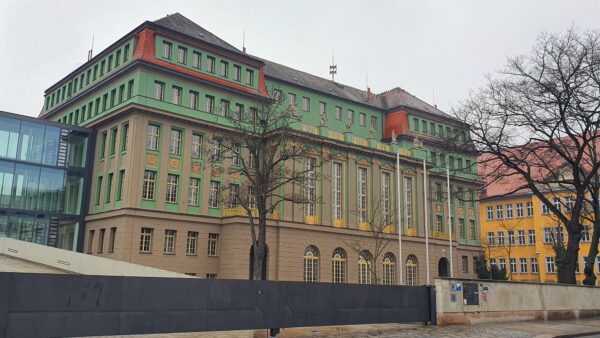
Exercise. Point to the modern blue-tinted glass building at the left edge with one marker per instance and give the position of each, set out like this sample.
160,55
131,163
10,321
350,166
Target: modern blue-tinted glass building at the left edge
44,169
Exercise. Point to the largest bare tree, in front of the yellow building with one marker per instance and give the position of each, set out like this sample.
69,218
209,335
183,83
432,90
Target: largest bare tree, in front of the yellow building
536,125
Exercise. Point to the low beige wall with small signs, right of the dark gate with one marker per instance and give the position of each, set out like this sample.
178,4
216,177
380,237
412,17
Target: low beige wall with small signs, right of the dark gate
511,301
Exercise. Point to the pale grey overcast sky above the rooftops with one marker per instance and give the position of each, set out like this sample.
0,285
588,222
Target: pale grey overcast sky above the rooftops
425,47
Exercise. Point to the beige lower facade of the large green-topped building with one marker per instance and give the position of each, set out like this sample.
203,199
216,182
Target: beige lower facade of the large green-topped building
288,233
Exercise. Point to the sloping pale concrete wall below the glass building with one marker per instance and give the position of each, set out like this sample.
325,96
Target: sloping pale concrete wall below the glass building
78,263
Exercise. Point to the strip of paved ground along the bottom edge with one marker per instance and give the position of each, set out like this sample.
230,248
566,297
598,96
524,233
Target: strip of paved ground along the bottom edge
537,329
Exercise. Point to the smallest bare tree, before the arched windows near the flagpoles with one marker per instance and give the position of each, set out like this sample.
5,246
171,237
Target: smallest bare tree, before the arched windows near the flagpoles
379,222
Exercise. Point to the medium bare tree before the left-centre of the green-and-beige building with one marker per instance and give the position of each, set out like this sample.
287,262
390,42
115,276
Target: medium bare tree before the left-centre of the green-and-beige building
271,164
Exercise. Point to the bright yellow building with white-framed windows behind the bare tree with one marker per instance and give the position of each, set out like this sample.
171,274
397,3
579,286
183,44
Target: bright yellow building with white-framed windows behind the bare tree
517,233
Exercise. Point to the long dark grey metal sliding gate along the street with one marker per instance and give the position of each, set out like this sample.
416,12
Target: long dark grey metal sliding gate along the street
45,305
